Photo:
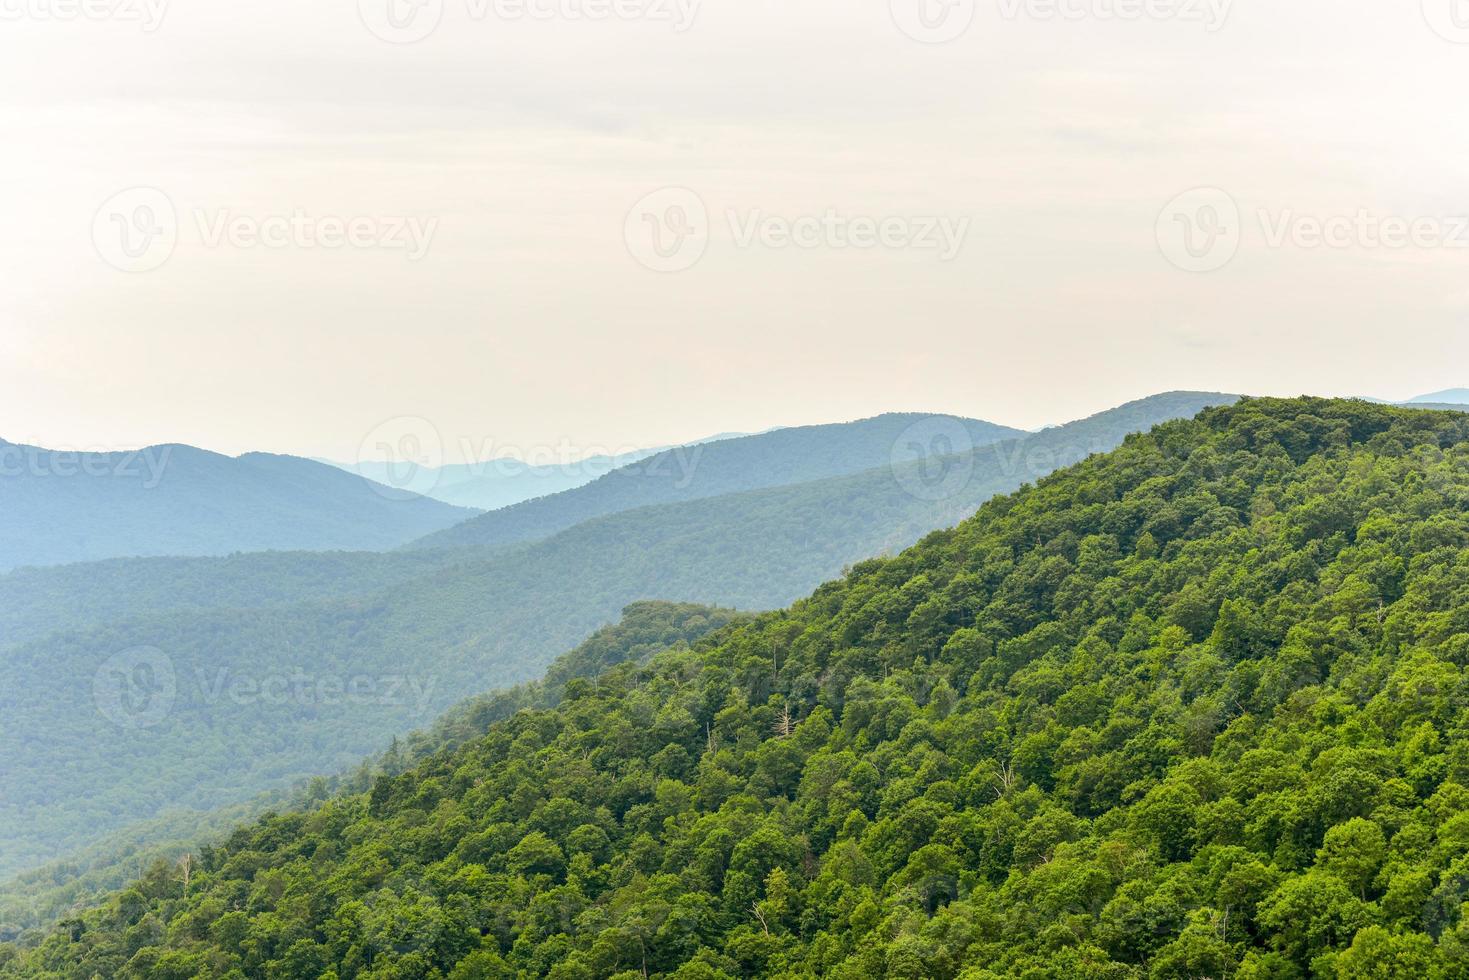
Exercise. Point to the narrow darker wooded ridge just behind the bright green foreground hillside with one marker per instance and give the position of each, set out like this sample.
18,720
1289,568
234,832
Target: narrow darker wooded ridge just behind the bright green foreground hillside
45,896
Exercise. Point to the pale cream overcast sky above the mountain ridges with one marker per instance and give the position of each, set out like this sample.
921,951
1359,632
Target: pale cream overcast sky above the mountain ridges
508,226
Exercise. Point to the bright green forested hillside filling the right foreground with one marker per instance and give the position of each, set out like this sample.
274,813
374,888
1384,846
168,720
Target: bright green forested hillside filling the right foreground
1194,709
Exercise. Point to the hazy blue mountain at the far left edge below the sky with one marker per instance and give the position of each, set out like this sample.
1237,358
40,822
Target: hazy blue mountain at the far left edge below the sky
176,500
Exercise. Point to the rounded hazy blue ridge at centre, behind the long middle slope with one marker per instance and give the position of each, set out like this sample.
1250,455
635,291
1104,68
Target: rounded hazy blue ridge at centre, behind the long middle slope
729,466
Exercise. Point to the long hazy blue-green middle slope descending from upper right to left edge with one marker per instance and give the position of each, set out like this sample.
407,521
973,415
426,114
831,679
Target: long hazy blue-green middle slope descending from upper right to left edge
256,699
